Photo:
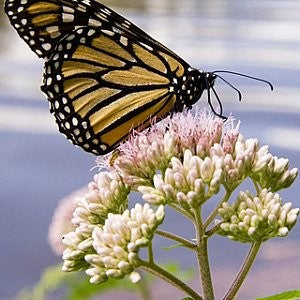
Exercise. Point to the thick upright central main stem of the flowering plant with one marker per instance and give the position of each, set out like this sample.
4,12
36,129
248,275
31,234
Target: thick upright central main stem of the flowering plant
202,256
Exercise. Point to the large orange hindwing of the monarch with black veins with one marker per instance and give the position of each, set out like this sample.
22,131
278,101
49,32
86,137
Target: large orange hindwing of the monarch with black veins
101,84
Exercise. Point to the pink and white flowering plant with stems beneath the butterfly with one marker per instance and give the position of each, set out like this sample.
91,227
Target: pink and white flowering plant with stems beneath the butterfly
181,162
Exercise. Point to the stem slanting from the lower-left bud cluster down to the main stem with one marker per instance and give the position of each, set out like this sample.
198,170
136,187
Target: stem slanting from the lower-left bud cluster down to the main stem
170,278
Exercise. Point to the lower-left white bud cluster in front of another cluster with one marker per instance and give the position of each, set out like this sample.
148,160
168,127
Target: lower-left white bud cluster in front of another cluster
117,243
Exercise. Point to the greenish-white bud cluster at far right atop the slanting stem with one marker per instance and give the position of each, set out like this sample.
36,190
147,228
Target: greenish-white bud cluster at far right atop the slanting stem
257,218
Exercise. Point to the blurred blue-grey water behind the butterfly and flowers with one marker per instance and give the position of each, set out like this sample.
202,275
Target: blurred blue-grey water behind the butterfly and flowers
38,166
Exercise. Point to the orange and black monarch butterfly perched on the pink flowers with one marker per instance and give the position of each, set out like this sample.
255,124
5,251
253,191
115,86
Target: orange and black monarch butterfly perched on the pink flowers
104,76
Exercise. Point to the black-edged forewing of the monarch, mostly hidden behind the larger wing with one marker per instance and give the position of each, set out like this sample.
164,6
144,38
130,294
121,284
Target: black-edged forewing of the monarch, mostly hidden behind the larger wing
41,24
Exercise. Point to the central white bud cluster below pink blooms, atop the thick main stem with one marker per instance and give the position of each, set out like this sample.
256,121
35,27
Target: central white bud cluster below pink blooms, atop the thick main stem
188,183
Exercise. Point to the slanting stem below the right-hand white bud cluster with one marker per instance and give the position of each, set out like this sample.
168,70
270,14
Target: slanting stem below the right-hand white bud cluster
243,272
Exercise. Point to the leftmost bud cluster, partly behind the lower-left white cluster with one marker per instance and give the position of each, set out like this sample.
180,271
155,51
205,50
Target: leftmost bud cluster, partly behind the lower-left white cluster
106,194
